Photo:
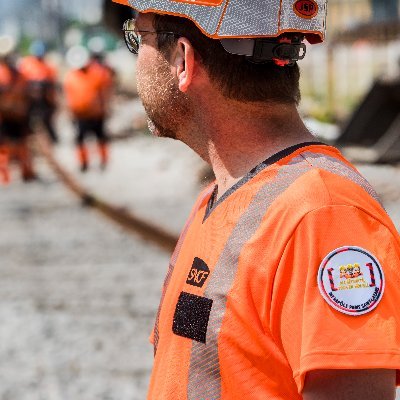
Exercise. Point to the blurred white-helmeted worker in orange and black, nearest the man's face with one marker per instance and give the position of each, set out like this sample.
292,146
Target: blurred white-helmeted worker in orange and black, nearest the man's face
87,90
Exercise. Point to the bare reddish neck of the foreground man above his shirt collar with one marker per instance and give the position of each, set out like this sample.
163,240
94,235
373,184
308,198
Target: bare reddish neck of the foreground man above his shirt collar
240,136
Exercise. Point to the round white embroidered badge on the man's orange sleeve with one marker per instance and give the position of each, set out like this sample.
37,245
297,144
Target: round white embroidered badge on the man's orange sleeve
351,280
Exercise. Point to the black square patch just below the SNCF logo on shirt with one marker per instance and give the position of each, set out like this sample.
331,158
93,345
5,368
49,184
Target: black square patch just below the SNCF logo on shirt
191,316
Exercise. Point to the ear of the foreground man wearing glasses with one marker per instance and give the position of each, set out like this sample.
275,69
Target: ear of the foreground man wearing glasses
184,63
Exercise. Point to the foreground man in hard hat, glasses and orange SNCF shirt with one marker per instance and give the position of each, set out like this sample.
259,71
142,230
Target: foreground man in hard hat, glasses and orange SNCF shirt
254,305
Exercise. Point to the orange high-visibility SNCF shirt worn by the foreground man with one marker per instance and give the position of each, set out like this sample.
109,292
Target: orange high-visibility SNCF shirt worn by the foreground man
254,299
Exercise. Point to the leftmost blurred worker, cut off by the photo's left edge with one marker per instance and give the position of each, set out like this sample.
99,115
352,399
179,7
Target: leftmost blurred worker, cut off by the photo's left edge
14,106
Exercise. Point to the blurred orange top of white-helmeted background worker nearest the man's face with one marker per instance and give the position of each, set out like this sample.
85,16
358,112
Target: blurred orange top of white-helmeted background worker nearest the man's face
83,92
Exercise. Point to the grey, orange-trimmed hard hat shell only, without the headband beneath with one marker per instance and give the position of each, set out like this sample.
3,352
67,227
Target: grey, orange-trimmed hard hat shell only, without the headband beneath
223,19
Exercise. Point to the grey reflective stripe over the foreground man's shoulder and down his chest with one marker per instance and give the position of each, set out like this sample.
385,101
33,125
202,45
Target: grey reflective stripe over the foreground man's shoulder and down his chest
204,371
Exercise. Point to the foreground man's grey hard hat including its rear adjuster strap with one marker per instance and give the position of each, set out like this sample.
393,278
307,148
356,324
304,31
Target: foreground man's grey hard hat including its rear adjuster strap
263,30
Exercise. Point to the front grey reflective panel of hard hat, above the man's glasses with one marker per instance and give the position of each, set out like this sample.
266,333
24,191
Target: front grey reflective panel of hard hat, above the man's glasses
206,17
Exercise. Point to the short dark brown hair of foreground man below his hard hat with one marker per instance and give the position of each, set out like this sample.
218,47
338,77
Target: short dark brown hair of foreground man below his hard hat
236,76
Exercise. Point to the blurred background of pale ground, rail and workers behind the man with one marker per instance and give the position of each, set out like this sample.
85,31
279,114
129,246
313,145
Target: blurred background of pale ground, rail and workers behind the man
91,204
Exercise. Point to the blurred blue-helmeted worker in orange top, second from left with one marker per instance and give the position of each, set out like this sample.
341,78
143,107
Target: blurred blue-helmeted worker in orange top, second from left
41,78
